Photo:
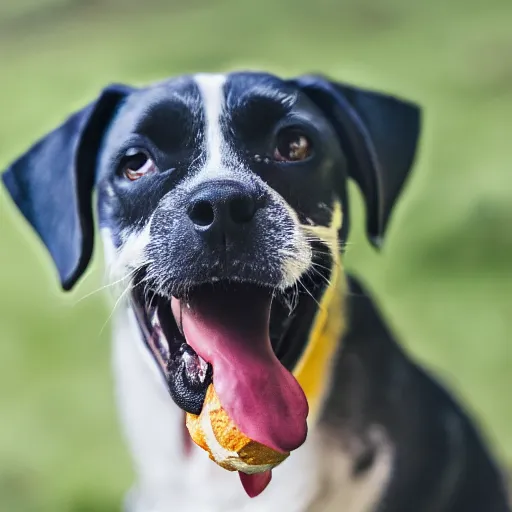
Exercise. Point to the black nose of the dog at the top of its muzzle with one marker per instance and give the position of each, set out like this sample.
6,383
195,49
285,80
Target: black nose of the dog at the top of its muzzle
222,206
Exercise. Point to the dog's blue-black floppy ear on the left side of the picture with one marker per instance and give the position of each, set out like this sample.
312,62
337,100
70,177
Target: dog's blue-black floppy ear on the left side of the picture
52,184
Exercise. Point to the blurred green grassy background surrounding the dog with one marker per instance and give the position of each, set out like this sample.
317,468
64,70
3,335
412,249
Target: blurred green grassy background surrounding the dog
444,278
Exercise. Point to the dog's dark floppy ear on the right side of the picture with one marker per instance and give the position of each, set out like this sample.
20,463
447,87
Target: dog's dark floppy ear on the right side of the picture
378,134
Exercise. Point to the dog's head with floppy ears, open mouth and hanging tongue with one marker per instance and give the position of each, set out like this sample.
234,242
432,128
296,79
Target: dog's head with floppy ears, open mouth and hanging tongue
223,199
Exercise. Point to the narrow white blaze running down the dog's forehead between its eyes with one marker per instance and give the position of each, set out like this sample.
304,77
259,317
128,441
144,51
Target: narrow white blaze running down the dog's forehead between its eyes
211,88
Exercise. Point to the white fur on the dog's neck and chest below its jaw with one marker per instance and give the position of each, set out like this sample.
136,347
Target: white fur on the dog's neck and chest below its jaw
167,477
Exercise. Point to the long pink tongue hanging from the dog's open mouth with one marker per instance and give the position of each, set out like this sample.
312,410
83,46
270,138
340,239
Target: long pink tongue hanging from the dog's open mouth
230,330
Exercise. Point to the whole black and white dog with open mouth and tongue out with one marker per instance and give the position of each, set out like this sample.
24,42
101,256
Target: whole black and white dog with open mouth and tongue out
222,202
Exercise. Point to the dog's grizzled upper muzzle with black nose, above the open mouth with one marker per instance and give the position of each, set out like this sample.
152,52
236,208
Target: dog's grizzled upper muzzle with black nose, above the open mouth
224,230
